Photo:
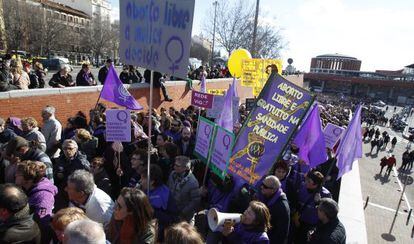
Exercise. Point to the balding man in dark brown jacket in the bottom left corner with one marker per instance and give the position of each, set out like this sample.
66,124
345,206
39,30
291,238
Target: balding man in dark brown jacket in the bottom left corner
17,225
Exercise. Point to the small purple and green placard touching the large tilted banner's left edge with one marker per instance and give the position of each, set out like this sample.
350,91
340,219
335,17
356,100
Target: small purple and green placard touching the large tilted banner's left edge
221,152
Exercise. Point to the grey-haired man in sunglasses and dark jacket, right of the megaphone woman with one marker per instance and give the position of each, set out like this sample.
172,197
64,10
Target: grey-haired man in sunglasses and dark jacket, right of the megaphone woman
275,199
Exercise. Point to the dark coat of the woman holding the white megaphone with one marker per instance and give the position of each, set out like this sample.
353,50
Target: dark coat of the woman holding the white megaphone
243,235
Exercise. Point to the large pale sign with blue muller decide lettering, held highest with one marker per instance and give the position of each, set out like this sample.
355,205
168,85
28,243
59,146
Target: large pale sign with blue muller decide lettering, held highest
156,34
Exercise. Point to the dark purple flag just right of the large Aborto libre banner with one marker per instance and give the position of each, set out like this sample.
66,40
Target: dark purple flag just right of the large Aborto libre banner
311,140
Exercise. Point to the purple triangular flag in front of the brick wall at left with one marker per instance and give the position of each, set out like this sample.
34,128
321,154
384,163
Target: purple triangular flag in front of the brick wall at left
114,91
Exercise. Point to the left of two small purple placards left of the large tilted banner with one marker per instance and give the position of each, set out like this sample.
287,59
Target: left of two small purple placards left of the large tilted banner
205,132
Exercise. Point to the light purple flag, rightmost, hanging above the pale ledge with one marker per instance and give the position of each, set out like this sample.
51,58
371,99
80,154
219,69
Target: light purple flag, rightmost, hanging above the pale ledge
350,147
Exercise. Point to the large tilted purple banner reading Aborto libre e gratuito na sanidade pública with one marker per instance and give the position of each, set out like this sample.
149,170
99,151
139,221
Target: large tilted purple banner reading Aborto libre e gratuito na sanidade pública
279,109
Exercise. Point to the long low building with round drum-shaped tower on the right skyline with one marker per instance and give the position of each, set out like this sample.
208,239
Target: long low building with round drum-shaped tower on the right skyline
341,74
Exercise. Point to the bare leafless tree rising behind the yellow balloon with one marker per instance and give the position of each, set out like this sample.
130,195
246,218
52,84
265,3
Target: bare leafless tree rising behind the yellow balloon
234,29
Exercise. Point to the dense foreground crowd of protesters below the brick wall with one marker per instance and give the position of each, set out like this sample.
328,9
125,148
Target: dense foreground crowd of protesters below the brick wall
64,181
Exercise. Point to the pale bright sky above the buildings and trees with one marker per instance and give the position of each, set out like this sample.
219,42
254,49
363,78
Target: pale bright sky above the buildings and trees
380,33
